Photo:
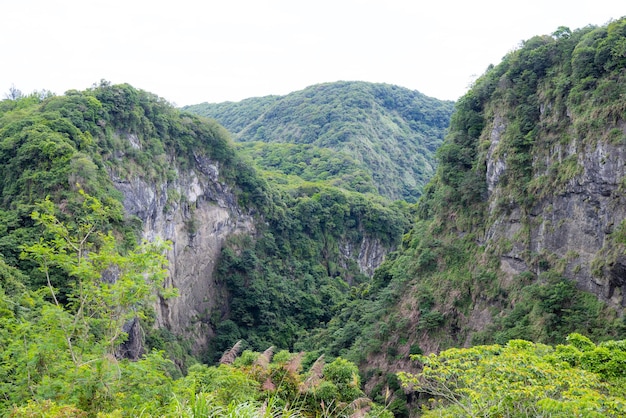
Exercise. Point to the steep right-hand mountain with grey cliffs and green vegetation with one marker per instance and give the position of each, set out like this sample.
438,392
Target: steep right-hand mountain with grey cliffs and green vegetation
521,232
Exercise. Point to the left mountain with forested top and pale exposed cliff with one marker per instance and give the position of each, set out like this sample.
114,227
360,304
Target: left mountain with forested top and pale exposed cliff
161,174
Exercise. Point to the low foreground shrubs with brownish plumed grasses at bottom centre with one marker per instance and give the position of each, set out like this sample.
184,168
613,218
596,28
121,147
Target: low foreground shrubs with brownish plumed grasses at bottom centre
270,387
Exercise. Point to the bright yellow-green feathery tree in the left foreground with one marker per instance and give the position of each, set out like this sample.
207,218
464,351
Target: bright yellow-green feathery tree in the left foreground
61,355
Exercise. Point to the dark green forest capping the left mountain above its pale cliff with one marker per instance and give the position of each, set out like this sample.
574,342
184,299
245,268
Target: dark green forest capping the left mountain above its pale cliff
57,145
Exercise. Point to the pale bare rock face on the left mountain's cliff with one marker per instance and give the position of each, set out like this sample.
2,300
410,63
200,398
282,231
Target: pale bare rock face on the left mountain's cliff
197,213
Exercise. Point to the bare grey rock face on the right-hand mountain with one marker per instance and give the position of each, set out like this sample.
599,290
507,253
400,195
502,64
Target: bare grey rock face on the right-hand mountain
570,229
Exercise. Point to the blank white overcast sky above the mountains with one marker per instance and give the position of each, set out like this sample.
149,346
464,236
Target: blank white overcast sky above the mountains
192,51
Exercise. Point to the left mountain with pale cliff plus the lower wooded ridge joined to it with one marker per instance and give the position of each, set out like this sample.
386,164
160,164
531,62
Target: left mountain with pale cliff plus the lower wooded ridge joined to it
162,173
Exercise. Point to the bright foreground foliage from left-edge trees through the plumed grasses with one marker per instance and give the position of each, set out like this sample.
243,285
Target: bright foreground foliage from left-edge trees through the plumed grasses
61,359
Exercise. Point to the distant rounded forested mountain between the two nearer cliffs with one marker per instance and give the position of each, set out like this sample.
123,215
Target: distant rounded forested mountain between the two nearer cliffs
364,137
